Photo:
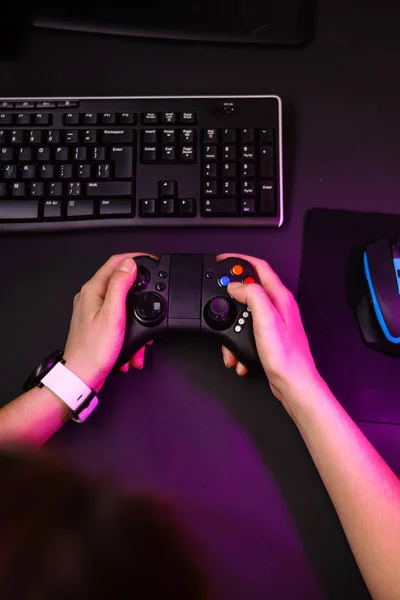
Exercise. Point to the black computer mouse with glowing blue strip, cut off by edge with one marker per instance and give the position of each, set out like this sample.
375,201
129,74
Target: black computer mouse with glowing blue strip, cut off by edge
378,311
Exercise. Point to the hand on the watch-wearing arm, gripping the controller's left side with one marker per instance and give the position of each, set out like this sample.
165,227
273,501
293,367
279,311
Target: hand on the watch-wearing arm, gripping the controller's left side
97,327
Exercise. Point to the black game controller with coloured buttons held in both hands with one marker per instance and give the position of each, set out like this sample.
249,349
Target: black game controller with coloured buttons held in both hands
188,292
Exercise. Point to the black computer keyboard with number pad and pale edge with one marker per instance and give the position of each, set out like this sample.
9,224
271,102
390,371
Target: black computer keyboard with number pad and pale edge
98,162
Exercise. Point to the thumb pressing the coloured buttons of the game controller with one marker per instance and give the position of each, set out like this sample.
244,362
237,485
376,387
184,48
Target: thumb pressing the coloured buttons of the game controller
254,296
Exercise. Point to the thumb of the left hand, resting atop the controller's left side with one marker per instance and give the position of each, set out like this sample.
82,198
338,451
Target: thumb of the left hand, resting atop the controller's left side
119,285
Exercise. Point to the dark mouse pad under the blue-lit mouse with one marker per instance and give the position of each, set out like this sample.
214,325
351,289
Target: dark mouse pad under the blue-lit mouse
365,381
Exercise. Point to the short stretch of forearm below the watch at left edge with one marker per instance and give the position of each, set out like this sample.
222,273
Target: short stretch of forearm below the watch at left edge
32,418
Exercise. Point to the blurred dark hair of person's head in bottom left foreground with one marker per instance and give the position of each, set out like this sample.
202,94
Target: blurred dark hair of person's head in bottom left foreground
62,537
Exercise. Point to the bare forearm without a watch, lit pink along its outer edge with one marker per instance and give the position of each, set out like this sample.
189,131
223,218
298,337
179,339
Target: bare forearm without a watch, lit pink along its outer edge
363,489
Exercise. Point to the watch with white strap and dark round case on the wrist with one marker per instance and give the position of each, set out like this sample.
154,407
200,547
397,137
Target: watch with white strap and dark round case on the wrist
53,374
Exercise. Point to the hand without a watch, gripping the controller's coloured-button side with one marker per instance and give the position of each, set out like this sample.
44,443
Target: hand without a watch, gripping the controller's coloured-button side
280,338
